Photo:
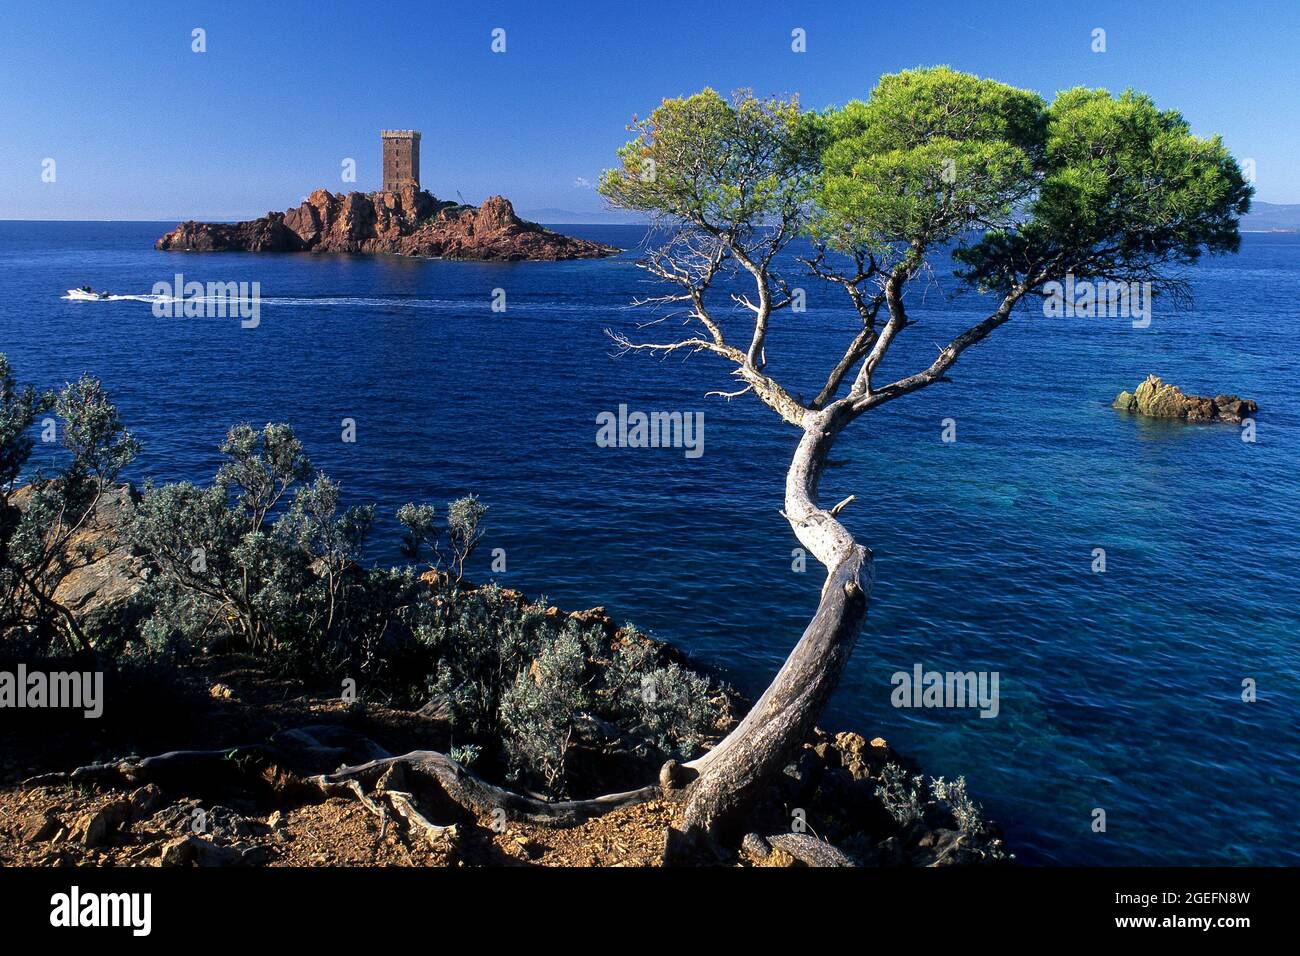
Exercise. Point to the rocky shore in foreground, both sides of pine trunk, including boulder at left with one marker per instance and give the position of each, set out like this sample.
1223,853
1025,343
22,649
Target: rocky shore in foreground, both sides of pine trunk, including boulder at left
71,799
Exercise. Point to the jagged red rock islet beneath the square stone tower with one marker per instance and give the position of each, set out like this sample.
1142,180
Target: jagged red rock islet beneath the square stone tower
406,223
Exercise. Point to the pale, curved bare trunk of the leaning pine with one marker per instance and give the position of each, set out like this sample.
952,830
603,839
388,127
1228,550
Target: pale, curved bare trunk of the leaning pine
783,719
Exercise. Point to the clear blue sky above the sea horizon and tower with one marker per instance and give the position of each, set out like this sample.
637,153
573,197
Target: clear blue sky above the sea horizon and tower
144,128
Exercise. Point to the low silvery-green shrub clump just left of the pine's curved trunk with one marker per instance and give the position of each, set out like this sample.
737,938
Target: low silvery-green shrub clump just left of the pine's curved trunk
508,672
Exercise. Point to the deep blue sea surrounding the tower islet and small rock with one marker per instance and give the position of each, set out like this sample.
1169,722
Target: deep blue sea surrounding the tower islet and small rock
1119,690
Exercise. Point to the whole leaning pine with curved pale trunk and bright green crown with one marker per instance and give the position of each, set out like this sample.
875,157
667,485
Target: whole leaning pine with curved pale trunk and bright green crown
1016,192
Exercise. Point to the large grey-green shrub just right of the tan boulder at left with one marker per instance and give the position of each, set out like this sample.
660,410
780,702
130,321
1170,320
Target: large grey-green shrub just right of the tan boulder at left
268,557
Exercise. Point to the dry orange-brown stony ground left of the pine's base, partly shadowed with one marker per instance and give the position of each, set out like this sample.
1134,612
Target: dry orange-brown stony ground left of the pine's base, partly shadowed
231,702
